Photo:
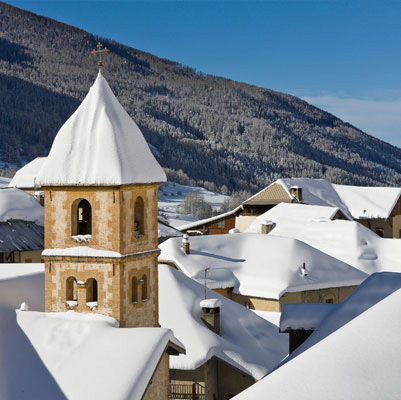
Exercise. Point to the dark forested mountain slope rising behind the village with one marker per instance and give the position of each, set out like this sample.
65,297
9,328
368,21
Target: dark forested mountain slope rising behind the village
205,130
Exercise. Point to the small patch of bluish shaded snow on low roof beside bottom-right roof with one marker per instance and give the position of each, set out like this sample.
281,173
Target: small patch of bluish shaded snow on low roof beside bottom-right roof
304,315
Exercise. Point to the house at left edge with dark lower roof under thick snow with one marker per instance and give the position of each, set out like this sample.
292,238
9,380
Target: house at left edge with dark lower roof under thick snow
21,227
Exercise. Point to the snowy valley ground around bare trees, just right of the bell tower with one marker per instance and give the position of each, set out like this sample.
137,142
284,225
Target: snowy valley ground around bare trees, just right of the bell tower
172,195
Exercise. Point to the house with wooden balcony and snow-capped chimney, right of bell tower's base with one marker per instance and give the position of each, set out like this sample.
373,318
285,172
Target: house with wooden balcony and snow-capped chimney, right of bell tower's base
228,348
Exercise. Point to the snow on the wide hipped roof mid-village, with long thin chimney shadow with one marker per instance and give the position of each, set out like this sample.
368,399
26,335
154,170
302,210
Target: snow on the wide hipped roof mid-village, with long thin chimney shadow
261,265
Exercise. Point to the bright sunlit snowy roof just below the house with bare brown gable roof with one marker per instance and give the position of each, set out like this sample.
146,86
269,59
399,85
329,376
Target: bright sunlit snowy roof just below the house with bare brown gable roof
290,218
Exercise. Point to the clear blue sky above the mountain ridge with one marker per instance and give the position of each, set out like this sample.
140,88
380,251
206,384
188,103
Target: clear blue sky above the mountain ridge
344,56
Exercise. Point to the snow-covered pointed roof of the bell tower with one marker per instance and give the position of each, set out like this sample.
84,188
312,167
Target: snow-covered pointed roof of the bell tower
100,145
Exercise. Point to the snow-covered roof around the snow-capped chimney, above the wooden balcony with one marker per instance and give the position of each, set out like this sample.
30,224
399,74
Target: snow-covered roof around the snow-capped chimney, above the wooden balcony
246,341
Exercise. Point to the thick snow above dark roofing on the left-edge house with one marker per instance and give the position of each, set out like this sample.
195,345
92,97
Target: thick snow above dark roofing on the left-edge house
16,204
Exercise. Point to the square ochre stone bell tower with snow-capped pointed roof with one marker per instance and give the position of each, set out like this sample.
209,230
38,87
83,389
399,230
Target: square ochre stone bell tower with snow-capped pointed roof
101,185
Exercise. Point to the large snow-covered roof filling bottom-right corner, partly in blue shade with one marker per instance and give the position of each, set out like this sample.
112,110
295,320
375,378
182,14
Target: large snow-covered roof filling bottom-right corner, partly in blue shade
355,352
